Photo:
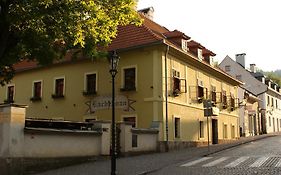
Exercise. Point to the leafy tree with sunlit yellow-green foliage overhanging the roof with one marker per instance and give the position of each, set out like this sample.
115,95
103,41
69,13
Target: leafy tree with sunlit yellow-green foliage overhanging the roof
44,30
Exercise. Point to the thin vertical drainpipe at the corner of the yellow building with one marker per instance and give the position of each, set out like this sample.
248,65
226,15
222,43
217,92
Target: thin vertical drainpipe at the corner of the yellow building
166,101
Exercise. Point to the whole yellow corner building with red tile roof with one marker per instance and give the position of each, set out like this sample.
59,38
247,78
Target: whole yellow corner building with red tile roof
155,63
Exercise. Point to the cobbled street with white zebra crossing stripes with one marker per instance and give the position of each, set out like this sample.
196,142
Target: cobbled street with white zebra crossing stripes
262,157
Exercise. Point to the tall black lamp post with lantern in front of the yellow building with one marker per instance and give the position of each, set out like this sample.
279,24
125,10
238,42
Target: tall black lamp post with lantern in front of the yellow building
114,59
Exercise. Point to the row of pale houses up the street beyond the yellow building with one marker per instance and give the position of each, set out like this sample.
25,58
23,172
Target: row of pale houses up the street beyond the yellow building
259,98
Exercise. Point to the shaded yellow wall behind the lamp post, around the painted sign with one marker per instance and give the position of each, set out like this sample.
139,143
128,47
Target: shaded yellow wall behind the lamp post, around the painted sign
72,106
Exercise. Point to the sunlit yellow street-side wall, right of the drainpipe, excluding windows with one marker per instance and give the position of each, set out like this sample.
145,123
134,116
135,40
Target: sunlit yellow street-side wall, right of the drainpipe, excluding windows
190,111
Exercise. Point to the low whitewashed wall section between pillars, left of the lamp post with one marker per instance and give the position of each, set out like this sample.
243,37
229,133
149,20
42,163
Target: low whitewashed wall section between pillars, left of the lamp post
46,144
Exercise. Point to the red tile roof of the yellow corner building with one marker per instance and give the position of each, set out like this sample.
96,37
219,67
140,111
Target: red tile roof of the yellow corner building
132,36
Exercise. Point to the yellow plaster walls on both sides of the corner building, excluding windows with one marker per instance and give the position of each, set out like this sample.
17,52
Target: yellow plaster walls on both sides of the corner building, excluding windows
149,94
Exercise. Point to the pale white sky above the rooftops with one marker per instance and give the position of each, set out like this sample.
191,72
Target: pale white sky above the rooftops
226,27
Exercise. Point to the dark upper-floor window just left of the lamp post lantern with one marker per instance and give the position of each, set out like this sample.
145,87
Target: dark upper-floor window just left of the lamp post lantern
90,84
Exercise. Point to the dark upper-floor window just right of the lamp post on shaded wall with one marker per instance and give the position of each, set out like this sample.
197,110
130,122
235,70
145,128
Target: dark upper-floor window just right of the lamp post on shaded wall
129,79
